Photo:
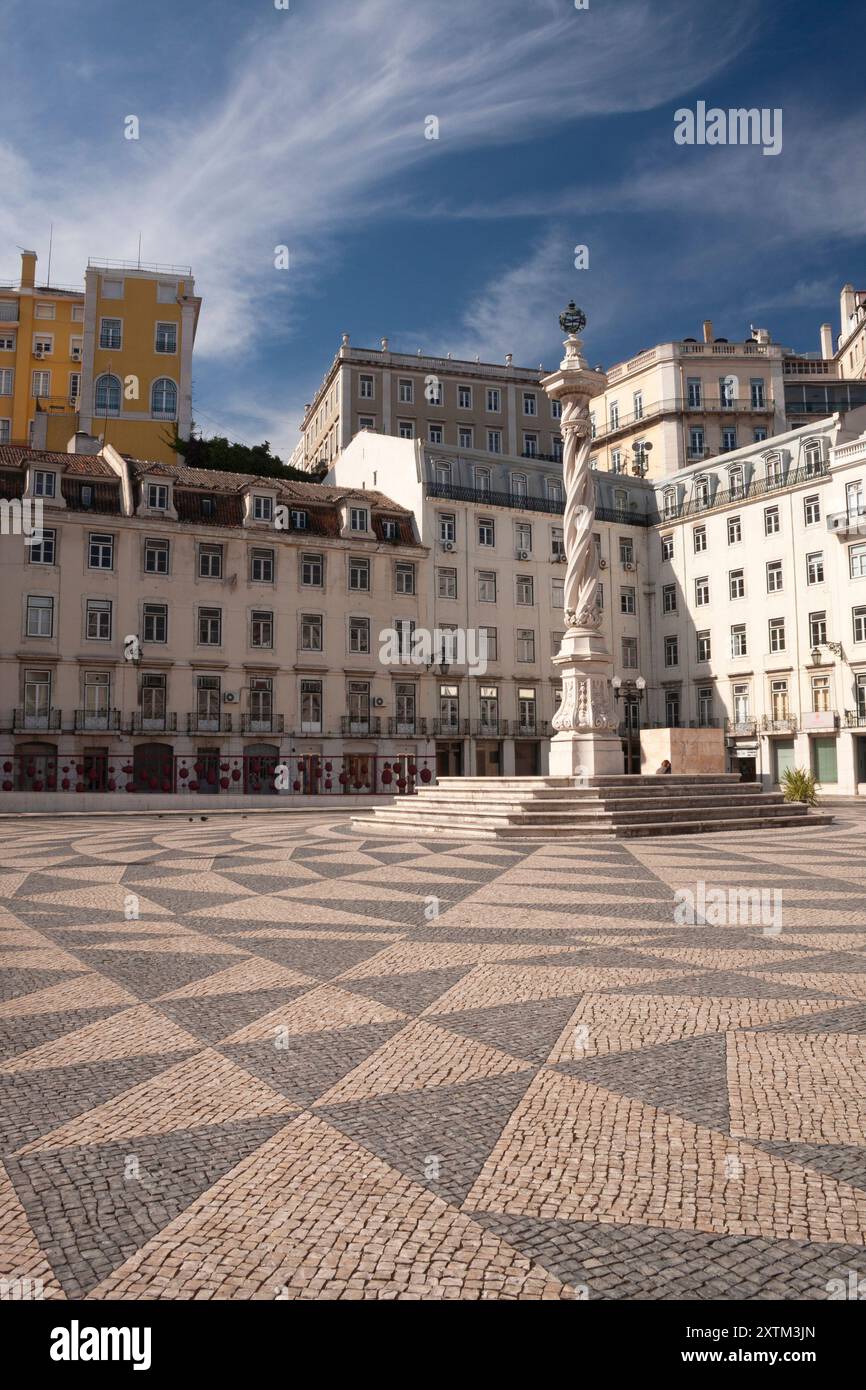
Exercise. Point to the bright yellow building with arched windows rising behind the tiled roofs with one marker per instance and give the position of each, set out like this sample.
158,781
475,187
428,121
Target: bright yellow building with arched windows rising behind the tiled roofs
113,361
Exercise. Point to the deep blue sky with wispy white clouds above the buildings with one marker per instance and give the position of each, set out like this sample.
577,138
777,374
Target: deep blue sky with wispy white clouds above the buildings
305,127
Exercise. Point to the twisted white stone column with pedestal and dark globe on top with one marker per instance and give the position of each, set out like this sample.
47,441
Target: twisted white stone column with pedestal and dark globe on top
586,742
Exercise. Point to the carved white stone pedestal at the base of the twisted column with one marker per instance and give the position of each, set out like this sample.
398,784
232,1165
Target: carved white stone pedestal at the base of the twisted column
586,743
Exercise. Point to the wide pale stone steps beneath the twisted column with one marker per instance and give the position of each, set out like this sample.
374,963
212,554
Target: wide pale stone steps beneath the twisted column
569,808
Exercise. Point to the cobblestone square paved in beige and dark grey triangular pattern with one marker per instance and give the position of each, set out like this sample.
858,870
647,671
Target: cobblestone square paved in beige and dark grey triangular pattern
269,1058
